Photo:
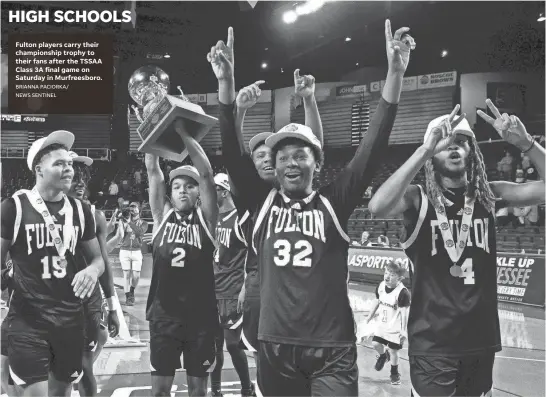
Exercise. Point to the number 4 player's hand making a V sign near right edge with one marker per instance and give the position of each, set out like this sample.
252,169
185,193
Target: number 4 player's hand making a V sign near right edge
510,128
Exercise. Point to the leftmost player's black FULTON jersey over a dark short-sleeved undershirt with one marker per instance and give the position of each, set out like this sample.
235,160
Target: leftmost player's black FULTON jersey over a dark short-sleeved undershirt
42,287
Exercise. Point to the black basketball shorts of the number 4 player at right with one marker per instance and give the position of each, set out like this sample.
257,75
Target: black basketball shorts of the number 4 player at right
452,376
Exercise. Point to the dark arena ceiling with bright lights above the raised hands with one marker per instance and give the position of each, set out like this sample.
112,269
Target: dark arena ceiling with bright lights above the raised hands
479,36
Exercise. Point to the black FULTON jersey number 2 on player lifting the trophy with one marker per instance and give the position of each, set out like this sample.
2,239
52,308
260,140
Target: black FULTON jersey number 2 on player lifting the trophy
182,287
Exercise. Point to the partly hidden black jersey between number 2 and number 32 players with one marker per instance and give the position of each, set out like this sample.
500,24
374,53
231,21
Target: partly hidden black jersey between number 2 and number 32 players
229,258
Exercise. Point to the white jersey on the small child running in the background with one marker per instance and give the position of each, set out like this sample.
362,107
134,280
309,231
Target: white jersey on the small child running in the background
389,320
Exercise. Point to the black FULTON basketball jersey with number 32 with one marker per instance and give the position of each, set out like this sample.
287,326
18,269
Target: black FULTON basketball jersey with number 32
302,257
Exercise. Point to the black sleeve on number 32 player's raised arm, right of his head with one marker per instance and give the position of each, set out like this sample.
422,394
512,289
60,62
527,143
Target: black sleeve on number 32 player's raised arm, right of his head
347,190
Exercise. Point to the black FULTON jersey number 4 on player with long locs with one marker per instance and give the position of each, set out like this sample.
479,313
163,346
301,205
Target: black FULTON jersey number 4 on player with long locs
452,316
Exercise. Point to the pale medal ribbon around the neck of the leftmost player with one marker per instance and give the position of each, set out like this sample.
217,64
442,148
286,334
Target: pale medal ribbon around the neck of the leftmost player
39,205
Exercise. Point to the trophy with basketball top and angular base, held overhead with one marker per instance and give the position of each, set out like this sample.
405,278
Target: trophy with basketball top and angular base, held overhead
148,86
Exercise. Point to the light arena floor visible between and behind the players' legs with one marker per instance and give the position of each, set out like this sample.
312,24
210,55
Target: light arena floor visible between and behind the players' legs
519,368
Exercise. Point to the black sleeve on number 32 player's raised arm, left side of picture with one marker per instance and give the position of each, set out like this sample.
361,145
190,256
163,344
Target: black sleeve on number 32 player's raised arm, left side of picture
250,189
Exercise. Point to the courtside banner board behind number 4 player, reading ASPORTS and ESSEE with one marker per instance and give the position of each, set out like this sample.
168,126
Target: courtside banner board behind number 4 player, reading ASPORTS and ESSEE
520,277
